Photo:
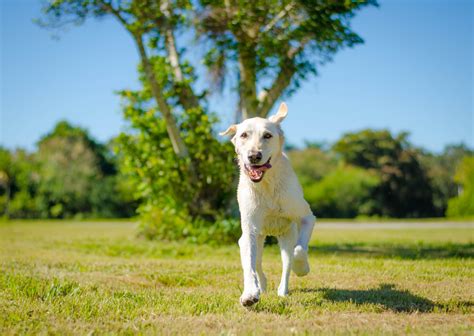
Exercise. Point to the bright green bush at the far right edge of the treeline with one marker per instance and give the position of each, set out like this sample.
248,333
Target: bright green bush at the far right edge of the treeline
463,205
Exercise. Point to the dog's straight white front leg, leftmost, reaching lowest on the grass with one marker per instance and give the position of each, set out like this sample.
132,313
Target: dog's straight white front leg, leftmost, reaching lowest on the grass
248,255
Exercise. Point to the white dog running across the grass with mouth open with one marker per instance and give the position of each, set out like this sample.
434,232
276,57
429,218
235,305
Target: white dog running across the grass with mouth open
271,203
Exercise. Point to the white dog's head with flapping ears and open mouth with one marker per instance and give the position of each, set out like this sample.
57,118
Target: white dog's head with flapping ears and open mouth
257,142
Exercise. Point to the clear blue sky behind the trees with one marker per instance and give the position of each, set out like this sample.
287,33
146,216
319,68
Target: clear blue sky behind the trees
414,73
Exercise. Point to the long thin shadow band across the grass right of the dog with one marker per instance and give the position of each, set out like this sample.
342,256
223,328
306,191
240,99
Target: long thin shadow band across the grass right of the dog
413,251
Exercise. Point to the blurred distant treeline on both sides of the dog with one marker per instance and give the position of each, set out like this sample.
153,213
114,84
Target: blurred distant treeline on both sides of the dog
368,173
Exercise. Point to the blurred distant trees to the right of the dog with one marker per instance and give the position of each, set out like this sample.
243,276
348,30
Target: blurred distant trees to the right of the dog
374,173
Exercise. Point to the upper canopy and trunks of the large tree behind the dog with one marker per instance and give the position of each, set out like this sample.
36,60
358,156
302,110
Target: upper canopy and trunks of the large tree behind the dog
272,46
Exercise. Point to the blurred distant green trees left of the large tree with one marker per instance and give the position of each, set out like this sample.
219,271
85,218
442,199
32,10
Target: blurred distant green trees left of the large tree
69,175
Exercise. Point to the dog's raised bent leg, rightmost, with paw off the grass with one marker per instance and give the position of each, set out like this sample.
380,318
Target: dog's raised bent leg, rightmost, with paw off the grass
300,263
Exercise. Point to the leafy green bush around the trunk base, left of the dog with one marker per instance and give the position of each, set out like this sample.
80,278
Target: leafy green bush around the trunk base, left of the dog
174,205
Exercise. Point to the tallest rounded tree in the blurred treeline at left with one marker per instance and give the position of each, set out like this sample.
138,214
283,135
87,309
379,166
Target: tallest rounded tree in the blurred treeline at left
76,176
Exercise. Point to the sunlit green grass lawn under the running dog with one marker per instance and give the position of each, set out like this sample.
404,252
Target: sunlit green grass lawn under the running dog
96,278
